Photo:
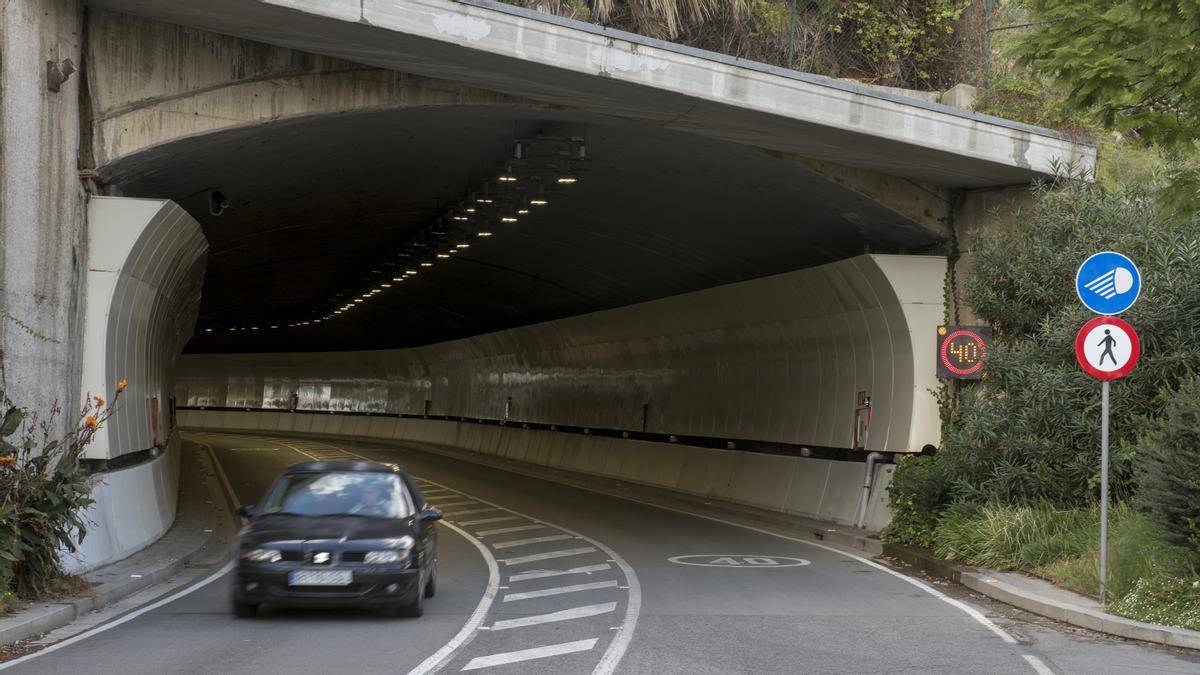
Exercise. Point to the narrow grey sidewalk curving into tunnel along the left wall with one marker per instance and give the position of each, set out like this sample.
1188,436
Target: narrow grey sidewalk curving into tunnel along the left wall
202,521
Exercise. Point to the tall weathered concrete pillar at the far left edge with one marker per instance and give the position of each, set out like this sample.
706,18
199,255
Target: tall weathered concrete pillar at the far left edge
43,256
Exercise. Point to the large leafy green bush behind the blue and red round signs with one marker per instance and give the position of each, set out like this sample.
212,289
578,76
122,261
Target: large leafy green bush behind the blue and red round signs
1029,434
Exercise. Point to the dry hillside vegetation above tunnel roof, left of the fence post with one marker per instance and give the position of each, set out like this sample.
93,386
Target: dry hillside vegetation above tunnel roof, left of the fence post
911,44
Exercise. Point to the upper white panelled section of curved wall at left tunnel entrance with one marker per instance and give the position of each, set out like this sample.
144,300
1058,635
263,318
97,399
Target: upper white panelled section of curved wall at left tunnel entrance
143,296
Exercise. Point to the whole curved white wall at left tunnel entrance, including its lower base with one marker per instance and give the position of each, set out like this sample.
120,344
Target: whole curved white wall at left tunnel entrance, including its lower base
143,291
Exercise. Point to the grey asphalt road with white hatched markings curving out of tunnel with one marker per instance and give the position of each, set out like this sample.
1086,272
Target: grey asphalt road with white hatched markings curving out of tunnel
537,577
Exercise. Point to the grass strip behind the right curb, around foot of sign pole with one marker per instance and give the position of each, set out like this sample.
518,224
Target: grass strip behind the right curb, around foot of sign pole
1147,576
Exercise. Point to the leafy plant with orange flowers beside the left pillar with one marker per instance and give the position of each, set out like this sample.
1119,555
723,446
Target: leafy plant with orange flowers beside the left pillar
44,494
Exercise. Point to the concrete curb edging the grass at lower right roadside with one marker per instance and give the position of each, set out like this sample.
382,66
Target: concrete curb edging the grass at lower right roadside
985,582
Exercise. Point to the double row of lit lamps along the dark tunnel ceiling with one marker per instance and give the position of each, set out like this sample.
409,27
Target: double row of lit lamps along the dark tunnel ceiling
539,168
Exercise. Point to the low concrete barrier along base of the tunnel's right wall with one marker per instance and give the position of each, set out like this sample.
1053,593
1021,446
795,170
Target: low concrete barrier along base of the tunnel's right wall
814,488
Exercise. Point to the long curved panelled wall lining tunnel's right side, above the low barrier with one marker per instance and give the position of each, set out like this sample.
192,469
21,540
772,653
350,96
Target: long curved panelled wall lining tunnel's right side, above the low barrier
778,360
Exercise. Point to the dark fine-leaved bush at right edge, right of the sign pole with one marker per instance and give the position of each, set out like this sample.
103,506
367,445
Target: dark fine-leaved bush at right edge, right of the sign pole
1169,455
